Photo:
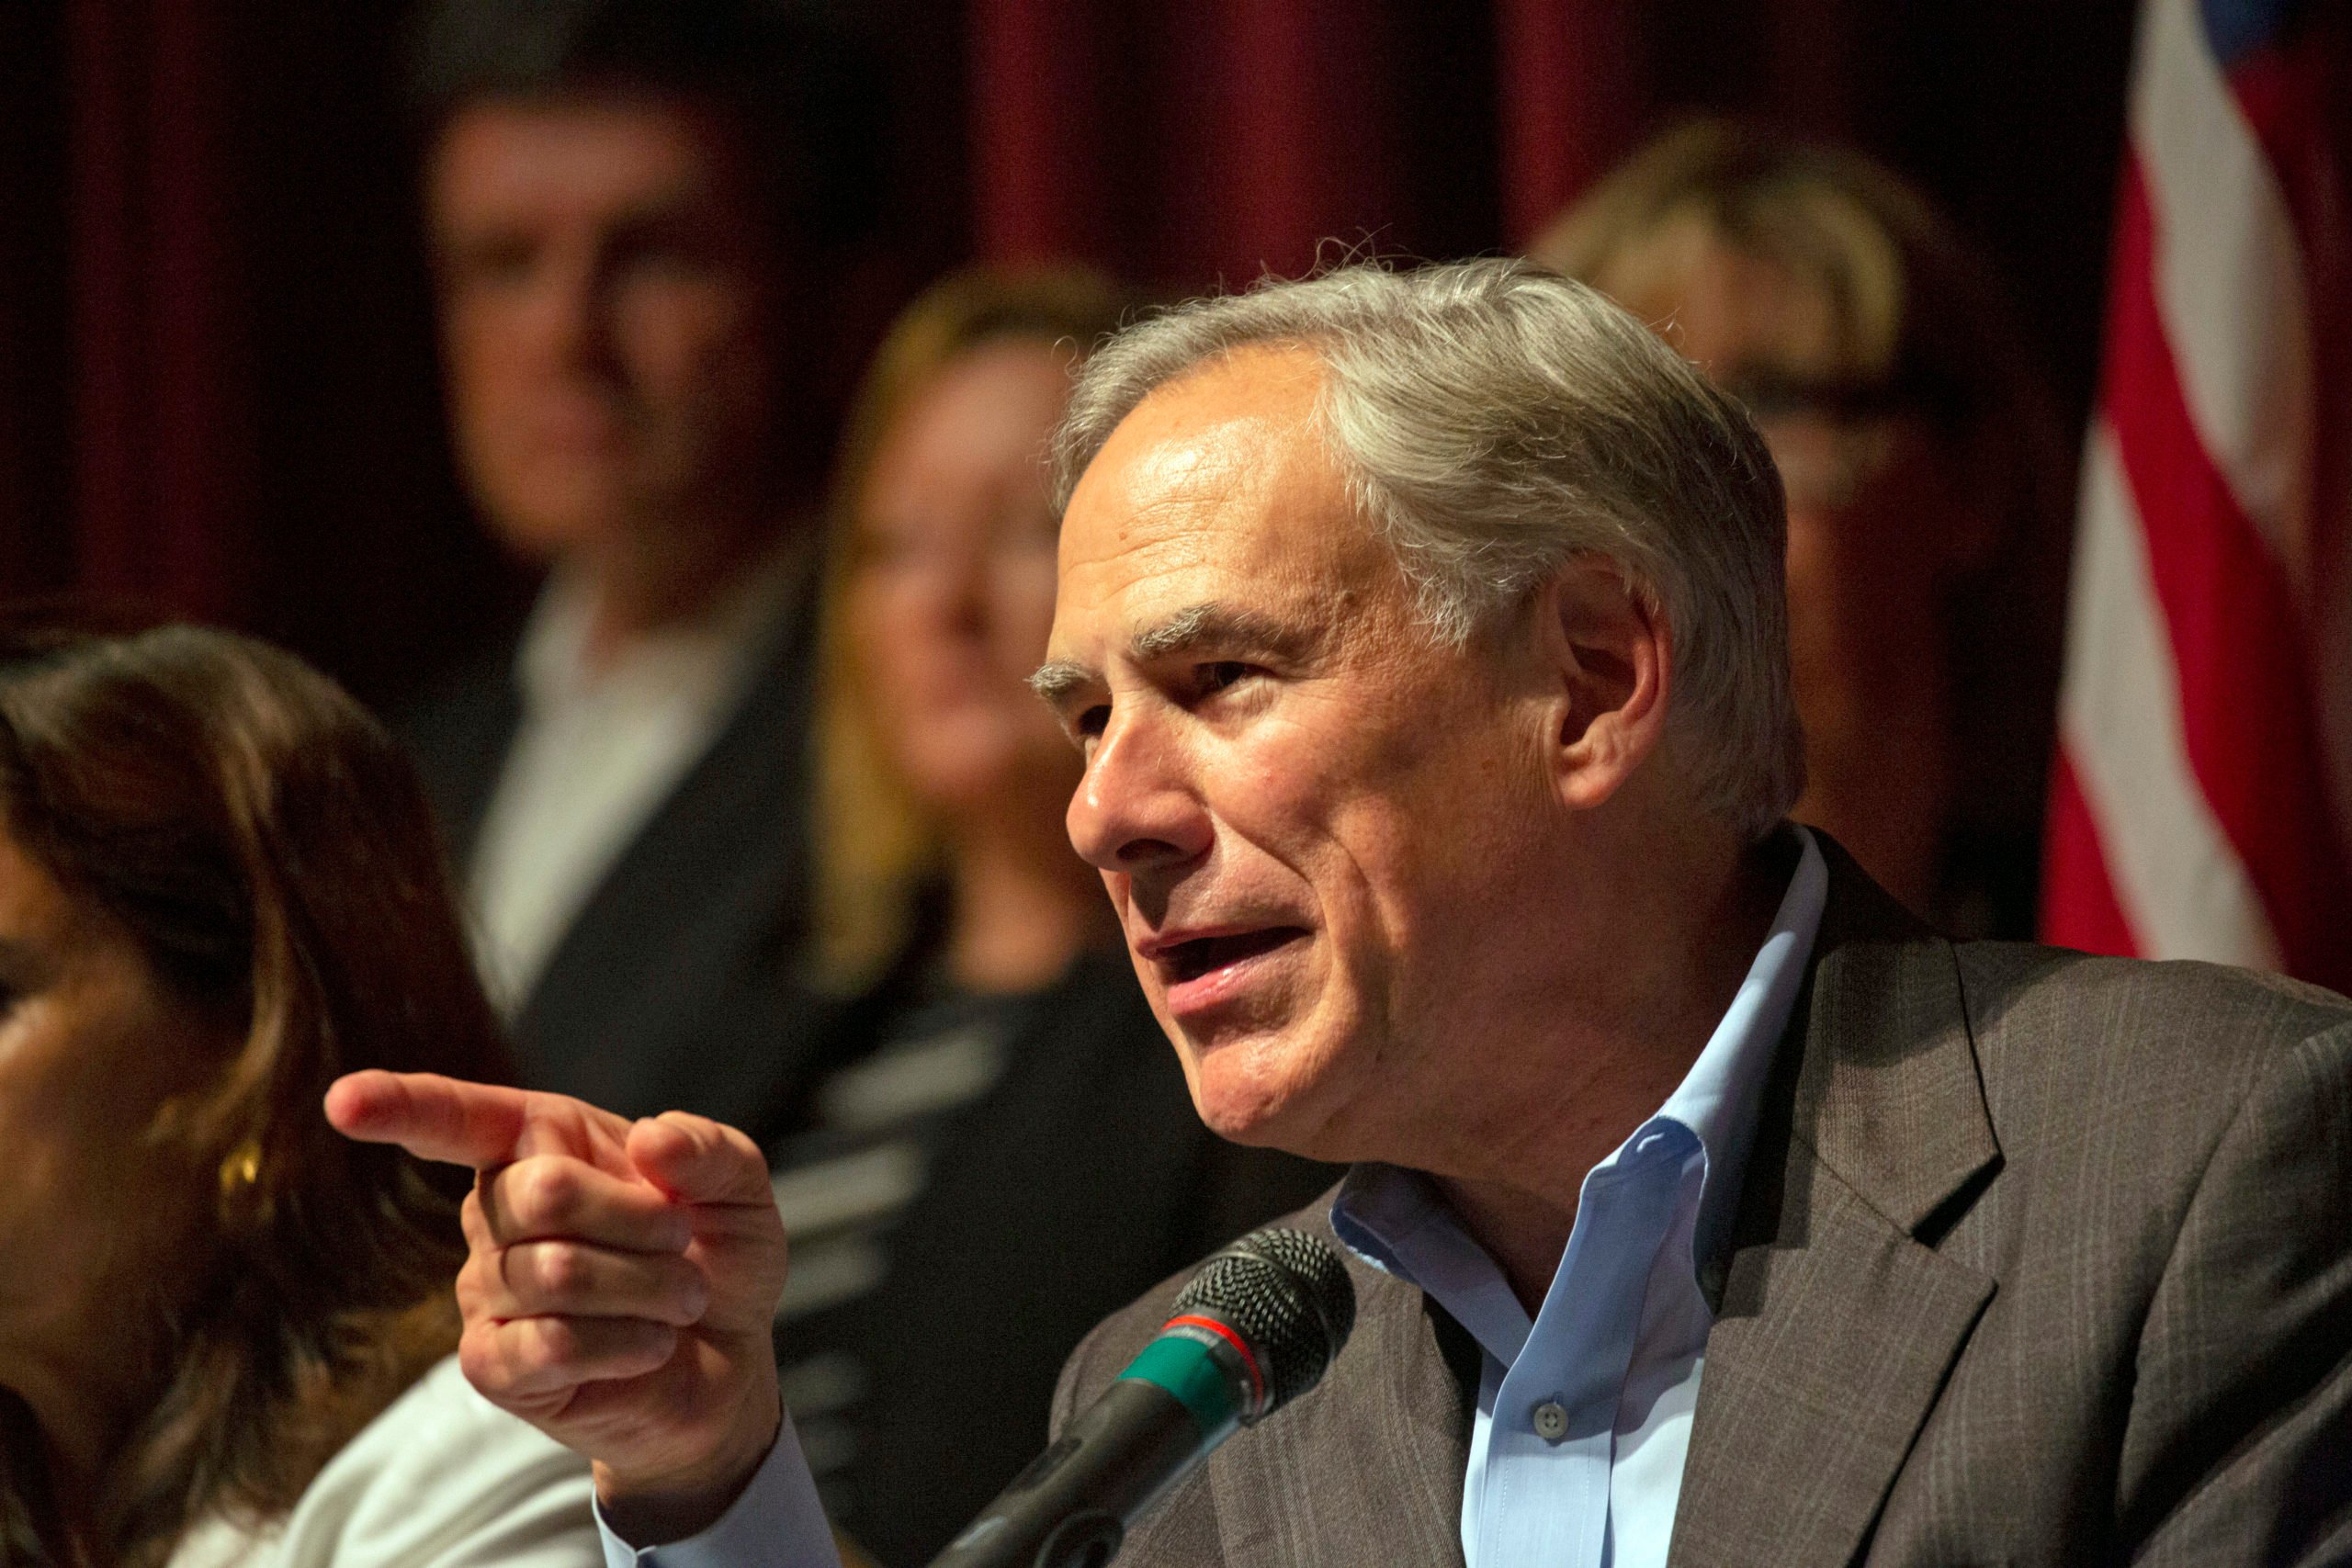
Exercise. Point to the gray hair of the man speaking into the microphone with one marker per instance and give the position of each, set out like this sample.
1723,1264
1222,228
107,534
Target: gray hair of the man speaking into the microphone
1492,422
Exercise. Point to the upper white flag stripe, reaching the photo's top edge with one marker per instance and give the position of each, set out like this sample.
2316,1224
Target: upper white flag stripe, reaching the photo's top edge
2229,279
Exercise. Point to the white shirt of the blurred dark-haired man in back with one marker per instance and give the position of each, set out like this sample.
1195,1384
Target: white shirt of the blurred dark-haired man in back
596,756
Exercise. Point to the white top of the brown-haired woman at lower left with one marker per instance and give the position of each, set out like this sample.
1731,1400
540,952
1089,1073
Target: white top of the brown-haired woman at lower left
441,1480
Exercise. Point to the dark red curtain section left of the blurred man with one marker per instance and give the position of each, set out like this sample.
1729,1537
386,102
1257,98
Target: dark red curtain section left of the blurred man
234,415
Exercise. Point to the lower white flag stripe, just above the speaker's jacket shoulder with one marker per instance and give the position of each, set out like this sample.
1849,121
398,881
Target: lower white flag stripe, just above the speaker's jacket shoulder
2174,871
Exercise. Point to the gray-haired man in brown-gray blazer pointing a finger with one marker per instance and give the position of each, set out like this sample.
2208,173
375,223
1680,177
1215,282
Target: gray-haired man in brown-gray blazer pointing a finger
1424,643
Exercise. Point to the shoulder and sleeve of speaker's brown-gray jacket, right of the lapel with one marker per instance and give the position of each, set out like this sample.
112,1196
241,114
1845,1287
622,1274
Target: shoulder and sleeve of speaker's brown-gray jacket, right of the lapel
2172,1242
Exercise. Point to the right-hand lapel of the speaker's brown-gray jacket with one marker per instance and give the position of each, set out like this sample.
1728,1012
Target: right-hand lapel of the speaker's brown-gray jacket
1838,1318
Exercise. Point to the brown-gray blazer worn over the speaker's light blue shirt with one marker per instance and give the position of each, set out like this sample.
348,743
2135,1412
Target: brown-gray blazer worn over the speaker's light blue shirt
2040,1259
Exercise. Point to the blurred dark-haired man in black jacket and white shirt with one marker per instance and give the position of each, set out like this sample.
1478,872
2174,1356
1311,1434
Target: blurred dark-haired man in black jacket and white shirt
620,201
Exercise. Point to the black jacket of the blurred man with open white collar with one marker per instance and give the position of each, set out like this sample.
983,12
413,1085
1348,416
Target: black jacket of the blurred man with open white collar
679,984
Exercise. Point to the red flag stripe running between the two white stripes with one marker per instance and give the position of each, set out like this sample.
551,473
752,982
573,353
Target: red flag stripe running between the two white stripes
2236,626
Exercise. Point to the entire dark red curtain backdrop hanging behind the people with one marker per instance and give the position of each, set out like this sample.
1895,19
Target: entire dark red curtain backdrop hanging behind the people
218,384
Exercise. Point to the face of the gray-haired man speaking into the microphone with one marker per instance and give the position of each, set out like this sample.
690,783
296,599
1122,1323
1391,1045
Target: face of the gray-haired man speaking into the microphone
1307,810
